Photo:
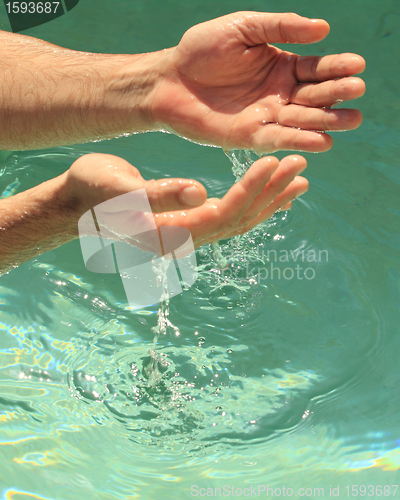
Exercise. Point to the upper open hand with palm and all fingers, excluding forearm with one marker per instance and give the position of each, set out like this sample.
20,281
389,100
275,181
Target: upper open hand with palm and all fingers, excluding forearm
225,85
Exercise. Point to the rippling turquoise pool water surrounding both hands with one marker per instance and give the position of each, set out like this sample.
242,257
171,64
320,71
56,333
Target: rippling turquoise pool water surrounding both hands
282,382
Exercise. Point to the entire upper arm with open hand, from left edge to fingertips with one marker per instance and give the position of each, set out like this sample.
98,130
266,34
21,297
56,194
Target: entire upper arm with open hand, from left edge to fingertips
224,84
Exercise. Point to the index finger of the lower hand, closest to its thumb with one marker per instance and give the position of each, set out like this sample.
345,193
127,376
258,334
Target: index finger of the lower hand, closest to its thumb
242,194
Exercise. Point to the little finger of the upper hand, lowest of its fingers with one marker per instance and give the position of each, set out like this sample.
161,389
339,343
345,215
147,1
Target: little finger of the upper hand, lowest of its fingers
275,137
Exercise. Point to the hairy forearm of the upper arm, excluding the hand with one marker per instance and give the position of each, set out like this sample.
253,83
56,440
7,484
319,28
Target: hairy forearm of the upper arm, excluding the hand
51,96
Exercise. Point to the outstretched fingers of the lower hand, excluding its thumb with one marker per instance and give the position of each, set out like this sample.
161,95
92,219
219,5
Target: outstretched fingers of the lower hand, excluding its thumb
267,187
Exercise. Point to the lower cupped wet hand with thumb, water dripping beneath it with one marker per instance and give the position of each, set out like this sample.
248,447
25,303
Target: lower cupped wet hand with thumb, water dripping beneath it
267,186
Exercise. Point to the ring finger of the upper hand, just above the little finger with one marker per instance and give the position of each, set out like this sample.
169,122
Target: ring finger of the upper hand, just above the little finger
307,118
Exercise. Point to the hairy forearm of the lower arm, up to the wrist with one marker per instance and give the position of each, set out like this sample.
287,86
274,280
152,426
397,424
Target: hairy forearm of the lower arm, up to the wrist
34,222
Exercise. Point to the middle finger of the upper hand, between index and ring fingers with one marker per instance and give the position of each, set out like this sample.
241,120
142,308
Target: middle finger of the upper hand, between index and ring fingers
328,93
